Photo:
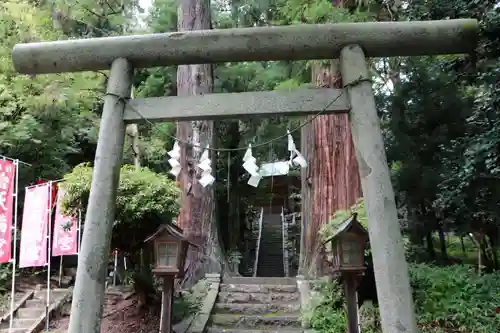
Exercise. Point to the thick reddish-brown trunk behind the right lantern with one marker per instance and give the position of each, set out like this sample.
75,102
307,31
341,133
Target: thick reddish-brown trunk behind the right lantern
331,182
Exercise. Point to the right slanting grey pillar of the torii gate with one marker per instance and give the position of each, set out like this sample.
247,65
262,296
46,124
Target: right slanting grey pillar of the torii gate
391,270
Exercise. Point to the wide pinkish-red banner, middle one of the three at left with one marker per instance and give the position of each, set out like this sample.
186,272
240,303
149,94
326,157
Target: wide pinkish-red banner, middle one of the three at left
33,251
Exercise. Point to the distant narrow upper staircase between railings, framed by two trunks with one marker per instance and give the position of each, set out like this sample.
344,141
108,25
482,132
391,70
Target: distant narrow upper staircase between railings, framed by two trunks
270,262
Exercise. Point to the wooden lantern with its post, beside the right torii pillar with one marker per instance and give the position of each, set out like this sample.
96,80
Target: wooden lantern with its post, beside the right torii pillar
348,259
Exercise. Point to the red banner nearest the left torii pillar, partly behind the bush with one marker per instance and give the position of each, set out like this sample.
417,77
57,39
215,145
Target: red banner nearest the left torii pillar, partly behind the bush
65,231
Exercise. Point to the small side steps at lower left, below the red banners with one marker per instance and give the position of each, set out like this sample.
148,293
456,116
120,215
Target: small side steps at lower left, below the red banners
29,314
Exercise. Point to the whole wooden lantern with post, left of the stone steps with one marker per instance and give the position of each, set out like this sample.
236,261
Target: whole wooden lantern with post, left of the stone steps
170,251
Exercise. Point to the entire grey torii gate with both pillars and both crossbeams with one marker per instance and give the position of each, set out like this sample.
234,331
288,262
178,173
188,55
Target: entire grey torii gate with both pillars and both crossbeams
352,42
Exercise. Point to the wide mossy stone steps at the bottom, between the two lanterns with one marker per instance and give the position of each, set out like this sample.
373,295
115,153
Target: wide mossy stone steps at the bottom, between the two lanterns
256,305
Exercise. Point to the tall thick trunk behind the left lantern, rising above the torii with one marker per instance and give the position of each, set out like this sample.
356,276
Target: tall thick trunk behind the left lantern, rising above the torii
197,217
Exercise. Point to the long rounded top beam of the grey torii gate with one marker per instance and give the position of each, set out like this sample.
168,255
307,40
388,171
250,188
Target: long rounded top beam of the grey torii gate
294,42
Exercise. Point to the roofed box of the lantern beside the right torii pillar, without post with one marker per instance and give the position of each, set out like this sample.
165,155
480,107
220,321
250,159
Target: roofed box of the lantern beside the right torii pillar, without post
348,246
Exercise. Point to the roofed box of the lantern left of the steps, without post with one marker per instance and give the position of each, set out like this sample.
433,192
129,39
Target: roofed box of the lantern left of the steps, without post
170,250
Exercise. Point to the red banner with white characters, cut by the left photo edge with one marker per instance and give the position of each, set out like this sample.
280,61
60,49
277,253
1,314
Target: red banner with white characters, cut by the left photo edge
7,175
